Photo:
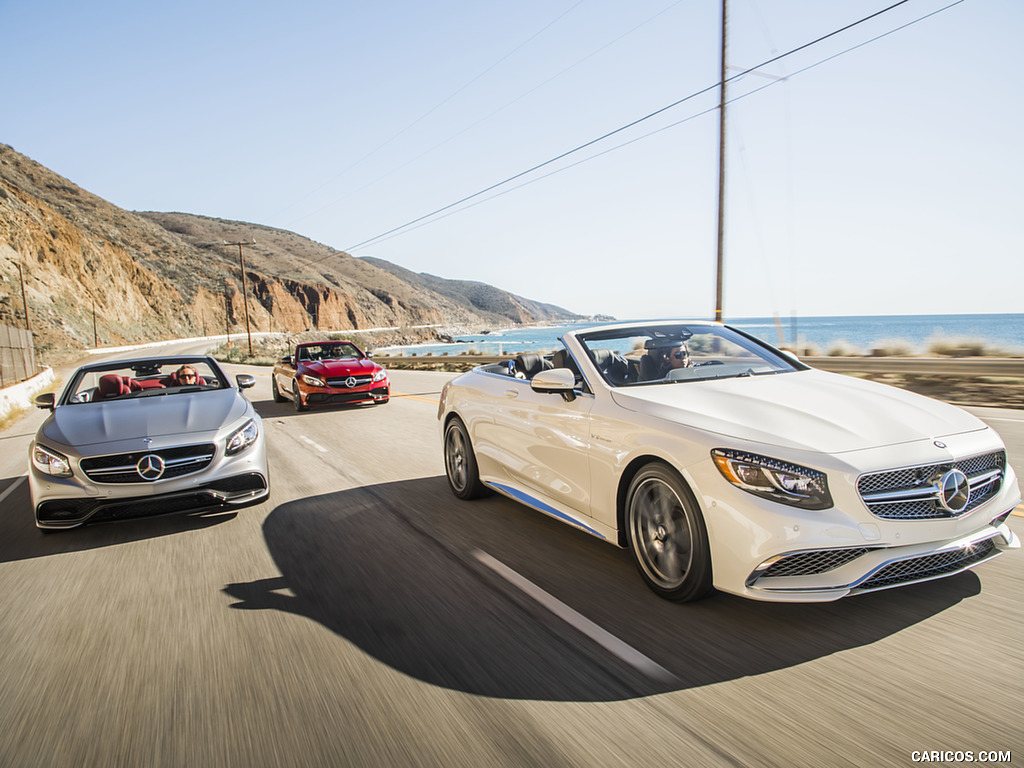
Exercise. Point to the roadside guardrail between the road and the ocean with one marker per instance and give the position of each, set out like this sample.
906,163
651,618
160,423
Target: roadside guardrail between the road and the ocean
1006,367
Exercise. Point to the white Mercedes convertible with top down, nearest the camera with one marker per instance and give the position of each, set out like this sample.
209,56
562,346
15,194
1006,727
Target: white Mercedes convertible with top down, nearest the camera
721,462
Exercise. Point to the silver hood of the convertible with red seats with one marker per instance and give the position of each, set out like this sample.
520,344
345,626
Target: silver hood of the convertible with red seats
93,423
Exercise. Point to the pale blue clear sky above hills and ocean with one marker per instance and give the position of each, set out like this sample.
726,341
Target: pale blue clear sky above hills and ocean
887,181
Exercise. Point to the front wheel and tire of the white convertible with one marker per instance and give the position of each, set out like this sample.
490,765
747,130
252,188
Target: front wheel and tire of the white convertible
668,537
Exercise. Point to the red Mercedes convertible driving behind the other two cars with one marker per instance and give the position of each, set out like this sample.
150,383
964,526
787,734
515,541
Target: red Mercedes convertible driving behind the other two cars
329,373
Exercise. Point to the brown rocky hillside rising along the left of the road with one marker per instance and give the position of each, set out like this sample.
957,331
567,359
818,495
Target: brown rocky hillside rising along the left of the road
153,276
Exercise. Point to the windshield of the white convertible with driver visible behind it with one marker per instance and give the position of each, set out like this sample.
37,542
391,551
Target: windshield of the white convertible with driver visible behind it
662,354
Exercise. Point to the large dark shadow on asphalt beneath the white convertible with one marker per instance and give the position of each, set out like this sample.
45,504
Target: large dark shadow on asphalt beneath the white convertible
394,570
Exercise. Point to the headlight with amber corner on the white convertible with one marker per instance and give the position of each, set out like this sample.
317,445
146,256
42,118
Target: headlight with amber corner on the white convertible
772,479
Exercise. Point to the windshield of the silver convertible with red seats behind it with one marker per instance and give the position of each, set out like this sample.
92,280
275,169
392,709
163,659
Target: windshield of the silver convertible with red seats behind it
144,378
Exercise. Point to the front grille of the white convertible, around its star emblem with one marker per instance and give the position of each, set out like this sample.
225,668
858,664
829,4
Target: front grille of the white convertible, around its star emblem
916,493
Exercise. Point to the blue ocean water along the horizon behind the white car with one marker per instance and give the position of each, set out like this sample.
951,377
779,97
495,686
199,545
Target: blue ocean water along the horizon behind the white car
856,333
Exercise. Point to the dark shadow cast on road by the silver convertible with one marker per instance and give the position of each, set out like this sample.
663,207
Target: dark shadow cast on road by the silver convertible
21,540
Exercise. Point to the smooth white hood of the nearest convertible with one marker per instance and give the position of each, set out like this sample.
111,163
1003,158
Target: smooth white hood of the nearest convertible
807,410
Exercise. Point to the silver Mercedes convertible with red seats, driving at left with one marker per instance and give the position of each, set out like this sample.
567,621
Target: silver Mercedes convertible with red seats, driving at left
146,438
